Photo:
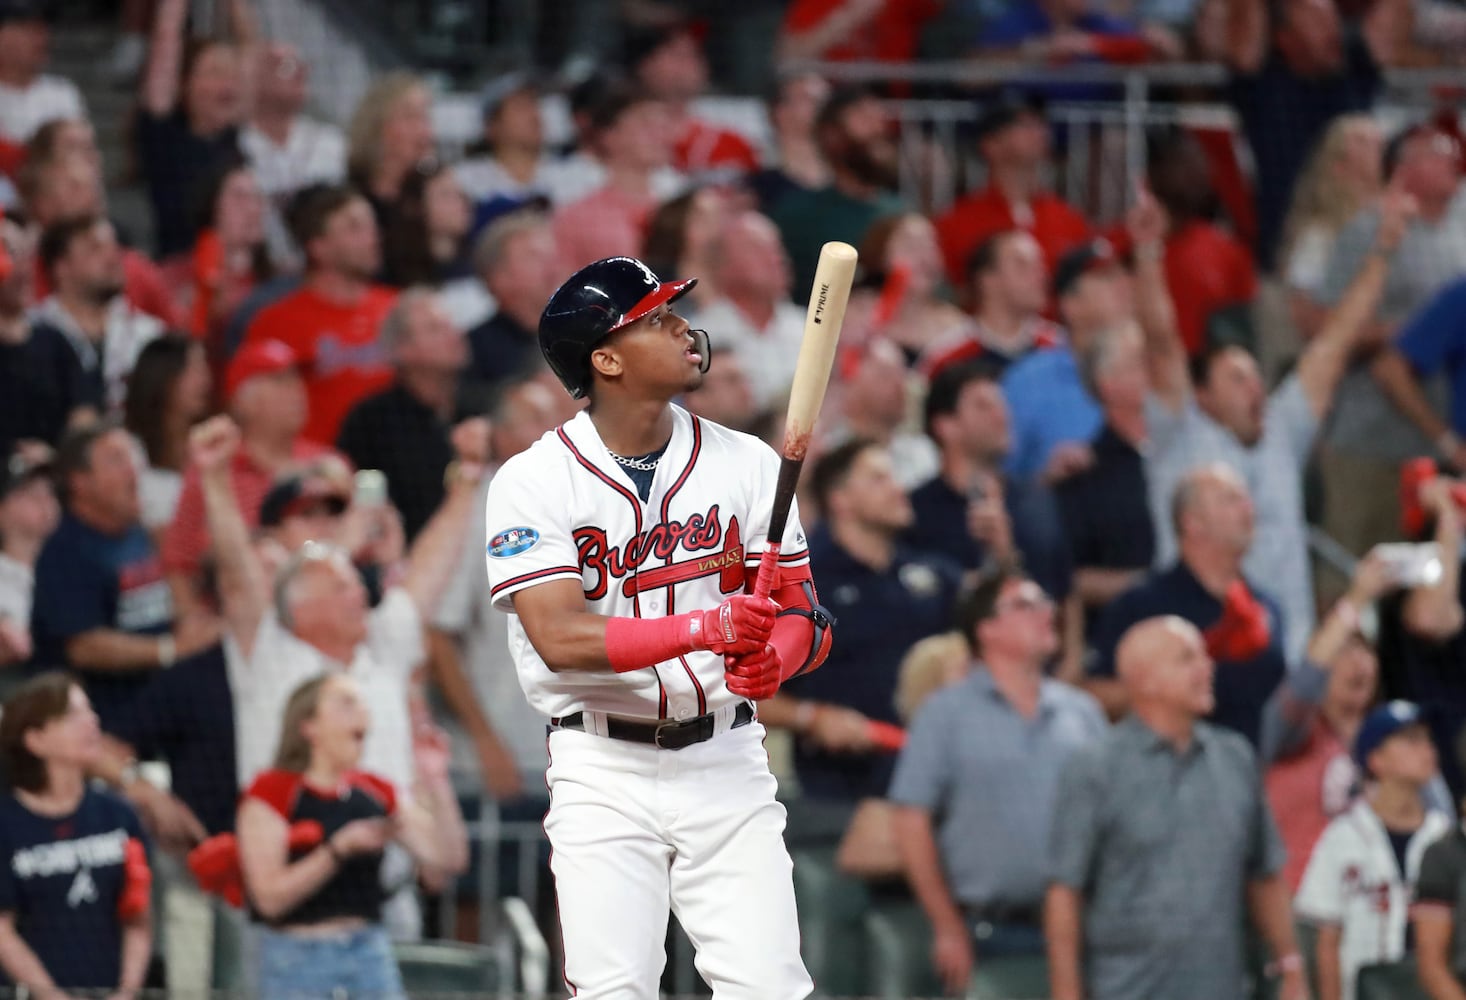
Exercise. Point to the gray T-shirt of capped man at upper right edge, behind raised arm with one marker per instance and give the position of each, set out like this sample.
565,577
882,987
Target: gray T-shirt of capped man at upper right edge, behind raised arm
1432,256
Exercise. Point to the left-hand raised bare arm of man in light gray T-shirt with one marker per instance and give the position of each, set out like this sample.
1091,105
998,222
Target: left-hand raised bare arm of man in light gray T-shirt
1165,353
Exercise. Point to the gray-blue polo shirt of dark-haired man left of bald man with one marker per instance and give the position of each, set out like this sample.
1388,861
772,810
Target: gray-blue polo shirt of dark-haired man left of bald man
989,778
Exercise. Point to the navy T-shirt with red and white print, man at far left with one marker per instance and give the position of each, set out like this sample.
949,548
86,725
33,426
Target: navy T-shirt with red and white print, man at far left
84,581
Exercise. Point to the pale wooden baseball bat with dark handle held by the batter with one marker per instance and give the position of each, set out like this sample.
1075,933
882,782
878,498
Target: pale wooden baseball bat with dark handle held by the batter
828,301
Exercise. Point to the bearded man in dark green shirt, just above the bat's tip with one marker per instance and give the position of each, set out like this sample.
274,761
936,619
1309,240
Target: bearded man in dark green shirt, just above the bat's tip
855,136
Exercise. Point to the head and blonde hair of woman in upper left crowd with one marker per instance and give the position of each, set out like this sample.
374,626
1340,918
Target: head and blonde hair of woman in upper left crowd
389,137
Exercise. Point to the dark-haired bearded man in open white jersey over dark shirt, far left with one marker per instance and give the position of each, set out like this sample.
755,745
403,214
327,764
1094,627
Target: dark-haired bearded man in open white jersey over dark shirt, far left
83,262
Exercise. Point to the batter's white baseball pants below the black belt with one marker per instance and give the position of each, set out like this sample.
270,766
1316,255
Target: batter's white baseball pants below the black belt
637,831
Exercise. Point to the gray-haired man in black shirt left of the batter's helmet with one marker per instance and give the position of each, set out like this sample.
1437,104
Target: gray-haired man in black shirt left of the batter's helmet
405,430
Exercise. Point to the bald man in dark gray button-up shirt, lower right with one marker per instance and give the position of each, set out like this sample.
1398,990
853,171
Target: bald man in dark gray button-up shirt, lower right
1166,845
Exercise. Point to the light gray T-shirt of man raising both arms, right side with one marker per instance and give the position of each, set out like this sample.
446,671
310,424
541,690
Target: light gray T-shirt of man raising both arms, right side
1273,470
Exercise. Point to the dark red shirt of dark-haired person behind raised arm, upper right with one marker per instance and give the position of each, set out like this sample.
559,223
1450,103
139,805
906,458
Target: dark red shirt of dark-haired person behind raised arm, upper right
1207,269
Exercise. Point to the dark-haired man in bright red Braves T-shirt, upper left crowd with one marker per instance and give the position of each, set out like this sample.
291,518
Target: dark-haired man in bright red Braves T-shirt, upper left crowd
331,322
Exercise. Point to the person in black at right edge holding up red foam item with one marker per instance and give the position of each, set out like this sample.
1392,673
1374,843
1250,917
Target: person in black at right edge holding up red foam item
1423,641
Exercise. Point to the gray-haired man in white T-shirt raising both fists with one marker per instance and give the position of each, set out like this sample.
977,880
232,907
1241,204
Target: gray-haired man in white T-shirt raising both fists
313,618
